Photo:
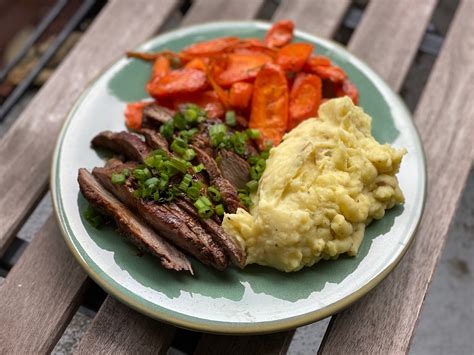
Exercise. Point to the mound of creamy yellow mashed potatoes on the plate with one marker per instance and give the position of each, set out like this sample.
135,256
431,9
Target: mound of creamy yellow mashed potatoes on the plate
323,184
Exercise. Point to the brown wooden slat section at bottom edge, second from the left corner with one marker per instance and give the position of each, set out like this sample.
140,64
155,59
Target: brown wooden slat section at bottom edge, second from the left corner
118,329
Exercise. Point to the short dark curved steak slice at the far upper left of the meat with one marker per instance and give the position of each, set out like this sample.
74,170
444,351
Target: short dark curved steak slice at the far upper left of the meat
124,143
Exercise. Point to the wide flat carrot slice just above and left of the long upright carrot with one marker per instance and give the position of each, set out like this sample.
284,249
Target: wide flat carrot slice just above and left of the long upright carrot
242,67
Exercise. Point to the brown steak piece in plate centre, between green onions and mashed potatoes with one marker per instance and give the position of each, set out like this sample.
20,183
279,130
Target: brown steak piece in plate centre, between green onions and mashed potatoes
233,168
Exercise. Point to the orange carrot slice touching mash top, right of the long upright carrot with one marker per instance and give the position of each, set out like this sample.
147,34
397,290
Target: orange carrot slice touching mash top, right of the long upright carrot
305,98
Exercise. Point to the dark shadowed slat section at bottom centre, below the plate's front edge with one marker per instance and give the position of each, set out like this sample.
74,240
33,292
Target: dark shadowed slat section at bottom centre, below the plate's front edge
276,343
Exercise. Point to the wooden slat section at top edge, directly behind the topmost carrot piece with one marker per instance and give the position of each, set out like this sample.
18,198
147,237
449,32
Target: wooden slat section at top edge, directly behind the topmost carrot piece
321,18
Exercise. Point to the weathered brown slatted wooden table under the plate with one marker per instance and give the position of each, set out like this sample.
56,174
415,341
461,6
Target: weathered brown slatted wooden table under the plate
45,287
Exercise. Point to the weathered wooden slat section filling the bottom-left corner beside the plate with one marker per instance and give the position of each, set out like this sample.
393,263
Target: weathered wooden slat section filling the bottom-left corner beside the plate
40,295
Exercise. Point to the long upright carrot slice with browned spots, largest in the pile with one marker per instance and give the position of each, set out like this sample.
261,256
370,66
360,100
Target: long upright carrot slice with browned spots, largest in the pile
270,104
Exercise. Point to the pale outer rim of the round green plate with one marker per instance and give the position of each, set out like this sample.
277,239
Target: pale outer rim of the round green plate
232,328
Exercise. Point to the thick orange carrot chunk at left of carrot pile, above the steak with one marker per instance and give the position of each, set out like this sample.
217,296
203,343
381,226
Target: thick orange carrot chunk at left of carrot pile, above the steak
177,82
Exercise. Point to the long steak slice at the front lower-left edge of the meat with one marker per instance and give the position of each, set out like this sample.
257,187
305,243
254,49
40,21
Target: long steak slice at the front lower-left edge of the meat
130,226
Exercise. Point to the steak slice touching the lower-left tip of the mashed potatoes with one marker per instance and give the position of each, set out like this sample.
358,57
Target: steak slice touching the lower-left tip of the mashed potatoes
232,249
